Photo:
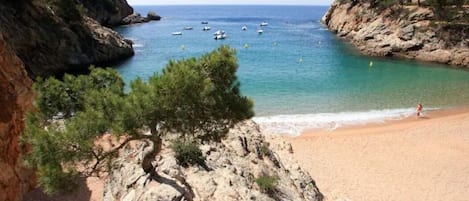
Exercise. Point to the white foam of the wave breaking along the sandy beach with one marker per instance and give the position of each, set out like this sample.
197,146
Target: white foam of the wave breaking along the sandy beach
296,124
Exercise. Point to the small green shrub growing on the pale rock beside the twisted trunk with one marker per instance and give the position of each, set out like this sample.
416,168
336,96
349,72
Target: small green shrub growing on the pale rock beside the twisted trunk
188,154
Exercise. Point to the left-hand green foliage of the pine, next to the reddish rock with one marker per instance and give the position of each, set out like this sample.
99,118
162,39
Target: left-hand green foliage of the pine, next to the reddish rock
72,114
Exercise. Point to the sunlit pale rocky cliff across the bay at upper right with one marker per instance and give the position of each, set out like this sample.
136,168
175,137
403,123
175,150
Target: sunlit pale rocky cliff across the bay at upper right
406,32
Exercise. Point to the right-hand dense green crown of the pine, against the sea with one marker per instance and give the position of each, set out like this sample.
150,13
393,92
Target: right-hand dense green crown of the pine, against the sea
200,97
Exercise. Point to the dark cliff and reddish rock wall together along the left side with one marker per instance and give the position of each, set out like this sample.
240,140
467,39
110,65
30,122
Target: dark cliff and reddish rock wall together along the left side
42,38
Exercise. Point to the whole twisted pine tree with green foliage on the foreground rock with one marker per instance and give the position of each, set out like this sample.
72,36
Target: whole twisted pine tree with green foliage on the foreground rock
197,99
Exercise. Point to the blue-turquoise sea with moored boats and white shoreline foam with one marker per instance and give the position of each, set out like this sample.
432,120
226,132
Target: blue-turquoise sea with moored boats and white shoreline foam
299,74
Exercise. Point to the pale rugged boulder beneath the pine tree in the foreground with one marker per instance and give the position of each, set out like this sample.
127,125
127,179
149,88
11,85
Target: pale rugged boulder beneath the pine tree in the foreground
233,166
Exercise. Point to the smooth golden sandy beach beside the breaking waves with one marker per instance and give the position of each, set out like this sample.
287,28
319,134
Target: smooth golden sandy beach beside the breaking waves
410,159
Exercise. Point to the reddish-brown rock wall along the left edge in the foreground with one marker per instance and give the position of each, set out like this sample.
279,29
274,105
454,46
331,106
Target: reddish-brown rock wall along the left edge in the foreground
15,98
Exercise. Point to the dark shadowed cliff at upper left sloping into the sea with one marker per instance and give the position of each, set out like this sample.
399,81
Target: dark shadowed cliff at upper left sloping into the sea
49,44
